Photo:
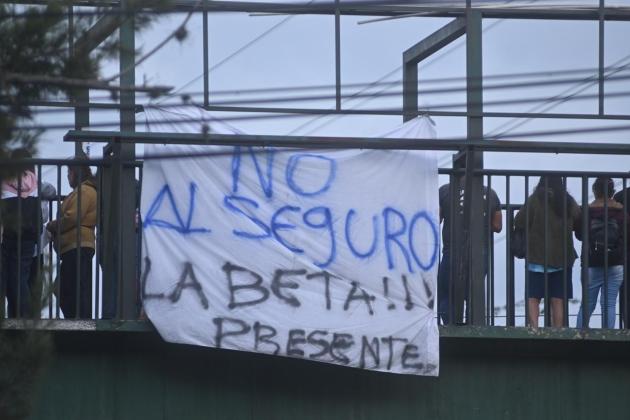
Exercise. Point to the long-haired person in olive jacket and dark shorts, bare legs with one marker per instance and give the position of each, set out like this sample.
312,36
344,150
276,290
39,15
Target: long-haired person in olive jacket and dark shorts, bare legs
550,253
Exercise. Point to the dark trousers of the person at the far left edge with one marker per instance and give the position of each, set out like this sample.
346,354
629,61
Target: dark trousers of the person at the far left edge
16,275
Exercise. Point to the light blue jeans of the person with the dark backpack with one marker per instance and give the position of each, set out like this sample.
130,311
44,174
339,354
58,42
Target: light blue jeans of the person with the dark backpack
595,284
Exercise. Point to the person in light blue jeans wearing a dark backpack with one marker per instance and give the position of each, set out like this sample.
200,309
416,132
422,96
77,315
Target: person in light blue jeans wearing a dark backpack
605,251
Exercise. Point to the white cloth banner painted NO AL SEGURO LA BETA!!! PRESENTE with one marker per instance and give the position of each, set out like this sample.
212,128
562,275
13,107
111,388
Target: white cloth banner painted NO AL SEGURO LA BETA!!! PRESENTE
323,255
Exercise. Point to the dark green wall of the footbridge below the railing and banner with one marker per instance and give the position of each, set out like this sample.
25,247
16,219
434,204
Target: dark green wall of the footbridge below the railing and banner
489,373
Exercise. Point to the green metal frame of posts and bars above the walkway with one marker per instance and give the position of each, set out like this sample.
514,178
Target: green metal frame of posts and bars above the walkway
467,20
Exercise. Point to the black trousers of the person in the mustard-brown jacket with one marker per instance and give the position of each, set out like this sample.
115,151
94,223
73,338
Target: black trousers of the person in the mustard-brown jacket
71,279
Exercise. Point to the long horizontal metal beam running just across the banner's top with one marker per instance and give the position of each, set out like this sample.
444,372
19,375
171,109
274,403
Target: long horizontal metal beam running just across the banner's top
320,142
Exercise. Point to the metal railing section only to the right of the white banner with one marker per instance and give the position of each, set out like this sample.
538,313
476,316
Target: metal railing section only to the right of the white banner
508,280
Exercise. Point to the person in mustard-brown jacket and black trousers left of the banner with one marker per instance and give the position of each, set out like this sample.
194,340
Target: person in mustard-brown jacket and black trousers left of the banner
74,236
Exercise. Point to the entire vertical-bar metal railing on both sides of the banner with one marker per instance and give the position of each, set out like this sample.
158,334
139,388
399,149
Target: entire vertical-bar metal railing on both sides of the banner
506,279
